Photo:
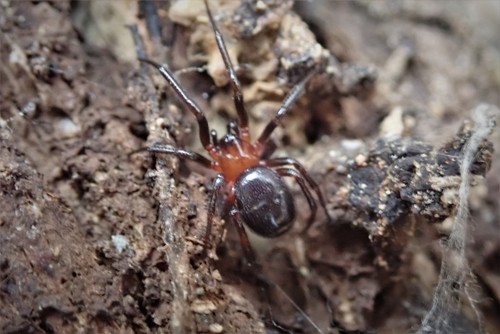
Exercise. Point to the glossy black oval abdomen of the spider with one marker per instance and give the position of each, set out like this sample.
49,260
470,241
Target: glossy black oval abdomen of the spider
264,201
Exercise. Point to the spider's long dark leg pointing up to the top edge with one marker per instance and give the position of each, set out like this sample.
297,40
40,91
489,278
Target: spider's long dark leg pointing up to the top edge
233,79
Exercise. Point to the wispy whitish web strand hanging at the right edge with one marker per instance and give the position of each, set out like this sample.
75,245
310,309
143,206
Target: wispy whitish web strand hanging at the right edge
456,276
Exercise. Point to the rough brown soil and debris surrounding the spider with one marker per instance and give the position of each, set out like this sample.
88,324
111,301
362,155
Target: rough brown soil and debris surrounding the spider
99,235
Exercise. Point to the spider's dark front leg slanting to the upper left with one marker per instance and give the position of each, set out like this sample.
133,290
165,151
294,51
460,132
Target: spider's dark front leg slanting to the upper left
188,102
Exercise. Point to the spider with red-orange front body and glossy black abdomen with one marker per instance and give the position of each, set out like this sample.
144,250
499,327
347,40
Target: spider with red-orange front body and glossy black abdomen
257,195
